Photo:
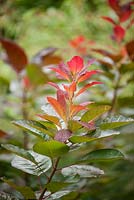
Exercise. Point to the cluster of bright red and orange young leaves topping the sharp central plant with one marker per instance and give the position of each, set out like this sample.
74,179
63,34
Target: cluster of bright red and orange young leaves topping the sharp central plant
74,72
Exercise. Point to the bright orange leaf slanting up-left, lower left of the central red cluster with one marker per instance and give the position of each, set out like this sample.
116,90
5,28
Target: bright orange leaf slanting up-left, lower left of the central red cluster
57,107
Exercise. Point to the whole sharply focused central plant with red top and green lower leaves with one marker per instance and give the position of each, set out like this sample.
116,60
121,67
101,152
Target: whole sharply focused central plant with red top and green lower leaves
62,156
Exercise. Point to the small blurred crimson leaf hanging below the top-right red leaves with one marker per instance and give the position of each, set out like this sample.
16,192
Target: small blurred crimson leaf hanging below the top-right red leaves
119,33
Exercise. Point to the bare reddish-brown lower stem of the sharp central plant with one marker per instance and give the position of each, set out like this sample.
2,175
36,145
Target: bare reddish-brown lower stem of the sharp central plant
50,178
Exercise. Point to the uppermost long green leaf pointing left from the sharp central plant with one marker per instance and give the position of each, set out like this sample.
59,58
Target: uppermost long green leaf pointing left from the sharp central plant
35,127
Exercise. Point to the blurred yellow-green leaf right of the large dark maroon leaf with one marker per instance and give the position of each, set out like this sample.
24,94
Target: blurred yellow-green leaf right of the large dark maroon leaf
36,75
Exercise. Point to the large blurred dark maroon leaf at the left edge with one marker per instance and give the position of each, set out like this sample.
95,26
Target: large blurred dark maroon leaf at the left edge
16,56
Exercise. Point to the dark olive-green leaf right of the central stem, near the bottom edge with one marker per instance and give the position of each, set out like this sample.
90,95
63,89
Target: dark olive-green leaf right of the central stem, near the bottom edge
56,186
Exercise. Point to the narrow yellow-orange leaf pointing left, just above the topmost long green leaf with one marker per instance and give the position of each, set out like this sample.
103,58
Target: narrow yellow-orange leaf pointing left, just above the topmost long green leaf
50,118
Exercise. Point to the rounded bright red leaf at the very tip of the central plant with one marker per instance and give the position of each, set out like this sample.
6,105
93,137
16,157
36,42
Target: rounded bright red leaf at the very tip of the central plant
76,64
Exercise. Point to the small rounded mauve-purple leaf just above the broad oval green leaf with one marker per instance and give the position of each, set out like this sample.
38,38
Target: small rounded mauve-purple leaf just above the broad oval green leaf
63,135
